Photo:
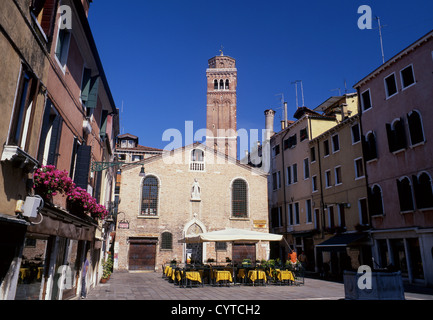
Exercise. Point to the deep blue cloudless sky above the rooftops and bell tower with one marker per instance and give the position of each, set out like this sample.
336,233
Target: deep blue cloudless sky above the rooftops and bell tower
155,54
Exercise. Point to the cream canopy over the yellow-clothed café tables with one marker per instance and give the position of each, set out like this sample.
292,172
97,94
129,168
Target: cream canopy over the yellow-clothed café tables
232,235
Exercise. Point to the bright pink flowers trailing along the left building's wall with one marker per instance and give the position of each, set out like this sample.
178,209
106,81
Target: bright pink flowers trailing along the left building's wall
49,181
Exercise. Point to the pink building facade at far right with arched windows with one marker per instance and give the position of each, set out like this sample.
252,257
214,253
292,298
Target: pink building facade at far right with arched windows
396,110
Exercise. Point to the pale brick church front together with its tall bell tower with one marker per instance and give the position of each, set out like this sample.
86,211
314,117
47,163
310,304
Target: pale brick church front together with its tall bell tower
194,189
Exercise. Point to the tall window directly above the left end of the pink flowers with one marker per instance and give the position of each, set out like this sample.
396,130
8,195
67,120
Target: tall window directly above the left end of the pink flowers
50,135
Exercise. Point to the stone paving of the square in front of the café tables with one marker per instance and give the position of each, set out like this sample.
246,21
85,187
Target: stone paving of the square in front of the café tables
151,286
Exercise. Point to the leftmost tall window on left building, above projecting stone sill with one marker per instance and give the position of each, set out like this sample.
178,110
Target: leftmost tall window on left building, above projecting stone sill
23,114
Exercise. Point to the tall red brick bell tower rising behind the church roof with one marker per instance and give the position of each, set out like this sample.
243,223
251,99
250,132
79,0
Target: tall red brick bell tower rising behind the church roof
221,104
